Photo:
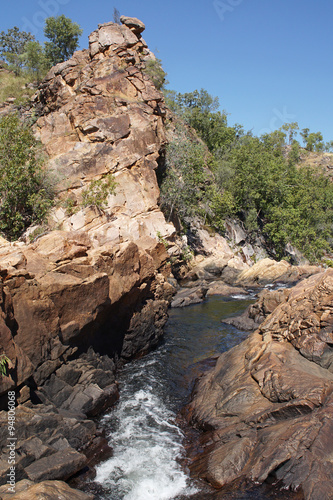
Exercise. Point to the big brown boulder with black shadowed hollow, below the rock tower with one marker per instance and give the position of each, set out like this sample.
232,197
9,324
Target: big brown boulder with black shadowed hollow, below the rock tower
60,296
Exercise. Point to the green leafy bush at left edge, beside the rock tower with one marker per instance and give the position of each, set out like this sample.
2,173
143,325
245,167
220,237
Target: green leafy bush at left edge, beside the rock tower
25,195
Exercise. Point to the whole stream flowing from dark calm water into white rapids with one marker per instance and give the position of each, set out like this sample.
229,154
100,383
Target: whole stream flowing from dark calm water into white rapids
147,444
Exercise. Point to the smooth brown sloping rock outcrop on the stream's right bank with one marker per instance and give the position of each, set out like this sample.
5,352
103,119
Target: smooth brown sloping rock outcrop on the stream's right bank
266,408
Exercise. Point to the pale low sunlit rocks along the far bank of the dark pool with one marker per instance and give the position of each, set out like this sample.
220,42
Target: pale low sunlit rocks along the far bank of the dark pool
216,276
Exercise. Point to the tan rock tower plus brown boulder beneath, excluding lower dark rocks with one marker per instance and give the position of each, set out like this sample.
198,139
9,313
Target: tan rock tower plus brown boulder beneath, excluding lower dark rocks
99,115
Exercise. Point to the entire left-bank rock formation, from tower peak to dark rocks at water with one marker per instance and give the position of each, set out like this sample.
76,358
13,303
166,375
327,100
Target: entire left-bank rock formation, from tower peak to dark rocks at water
91,292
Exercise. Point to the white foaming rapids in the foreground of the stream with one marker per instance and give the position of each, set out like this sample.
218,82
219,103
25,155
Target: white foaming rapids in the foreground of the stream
147,445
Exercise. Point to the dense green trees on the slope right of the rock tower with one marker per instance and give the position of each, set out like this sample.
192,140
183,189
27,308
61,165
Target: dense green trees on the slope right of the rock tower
256,179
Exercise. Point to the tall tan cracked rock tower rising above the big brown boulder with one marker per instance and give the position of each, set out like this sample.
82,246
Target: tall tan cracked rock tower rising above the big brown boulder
102,115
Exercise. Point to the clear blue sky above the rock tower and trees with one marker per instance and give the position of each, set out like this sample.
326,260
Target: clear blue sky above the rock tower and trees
267,61
